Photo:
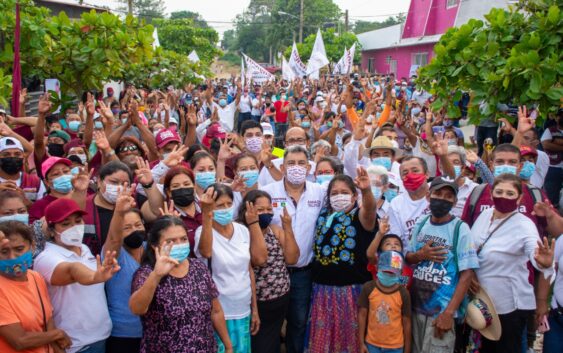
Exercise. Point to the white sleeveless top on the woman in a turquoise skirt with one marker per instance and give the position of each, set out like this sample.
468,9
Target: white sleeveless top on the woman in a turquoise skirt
230,261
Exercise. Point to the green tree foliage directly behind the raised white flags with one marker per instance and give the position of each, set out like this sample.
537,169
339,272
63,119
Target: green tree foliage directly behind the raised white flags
334,46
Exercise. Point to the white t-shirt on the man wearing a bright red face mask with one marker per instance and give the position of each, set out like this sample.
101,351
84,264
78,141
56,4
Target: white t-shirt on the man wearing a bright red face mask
403,214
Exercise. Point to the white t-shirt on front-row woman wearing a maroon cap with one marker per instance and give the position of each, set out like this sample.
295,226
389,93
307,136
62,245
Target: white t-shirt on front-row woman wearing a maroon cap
81,311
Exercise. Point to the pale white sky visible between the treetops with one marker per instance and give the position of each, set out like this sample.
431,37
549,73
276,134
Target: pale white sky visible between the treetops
220,13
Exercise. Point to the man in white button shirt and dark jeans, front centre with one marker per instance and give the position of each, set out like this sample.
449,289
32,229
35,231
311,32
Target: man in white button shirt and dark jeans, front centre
303,201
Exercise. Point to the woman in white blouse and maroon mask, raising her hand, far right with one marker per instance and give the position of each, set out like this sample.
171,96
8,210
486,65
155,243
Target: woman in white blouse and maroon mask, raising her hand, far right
506,240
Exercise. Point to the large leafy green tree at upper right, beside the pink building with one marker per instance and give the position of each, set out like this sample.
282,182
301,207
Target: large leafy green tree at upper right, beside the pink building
515,56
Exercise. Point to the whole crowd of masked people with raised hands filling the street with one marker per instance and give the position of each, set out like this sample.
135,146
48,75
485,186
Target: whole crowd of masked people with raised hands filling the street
328,216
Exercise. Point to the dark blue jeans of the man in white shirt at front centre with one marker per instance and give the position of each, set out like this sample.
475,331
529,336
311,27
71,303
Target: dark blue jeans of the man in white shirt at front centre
299,301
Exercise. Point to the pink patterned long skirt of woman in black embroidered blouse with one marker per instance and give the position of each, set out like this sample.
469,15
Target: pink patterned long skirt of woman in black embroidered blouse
333,321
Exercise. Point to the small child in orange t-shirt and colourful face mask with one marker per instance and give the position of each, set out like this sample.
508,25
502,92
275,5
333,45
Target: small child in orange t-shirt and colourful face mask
384,314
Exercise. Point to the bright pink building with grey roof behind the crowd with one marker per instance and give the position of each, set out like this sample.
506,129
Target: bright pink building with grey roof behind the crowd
402,48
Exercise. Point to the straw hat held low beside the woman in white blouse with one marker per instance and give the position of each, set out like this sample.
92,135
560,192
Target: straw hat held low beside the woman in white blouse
482,316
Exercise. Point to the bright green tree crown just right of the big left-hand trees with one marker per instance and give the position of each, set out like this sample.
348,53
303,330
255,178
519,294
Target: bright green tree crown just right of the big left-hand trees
183,36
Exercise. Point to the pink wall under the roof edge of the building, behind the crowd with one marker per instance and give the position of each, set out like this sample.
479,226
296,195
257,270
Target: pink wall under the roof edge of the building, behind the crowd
403,55
